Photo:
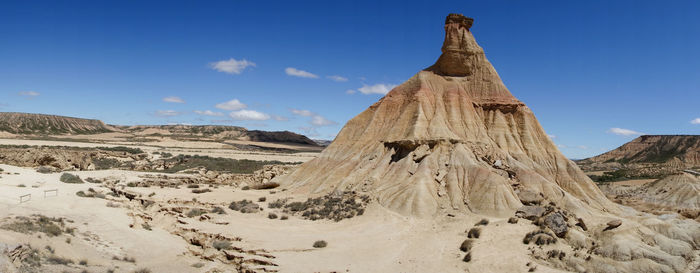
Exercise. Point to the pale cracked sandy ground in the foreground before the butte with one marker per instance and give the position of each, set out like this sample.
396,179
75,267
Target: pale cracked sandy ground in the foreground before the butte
378,241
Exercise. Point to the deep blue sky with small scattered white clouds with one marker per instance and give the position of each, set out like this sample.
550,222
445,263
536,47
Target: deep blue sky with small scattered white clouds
584,67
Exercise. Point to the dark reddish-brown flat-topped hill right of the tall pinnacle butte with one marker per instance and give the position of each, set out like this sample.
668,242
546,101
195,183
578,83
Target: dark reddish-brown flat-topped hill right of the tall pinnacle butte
668,149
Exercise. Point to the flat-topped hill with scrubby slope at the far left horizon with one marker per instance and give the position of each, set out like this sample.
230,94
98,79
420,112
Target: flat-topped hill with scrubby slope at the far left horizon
38,124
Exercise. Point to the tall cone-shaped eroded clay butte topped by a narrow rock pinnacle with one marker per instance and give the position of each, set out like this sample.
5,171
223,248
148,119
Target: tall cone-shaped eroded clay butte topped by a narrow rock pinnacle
451,137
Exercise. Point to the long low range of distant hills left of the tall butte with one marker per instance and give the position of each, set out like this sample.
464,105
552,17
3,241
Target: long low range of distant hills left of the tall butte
39,124
